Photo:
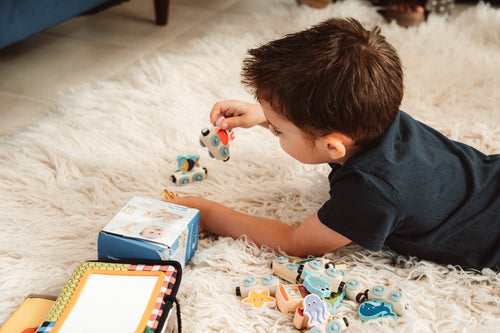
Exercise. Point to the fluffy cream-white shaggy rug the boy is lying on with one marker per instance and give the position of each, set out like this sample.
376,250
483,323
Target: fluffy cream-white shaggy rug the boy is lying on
63,176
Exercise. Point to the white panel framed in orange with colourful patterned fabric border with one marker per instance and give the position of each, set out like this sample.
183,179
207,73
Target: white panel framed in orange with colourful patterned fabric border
117,296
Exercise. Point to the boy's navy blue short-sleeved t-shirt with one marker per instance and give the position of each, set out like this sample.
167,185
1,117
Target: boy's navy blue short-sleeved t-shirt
421,194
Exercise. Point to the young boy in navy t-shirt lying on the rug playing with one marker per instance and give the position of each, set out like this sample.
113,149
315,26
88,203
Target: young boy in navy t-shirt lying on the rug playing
331,94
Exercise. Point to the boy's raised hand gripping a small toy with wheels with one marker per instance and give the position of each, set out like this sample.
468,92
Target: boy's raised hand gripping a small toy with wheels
238,114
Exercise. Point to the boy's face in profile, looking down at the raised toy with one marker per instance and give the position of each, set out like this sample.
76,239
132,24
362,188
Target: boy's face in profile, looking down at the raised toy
292,139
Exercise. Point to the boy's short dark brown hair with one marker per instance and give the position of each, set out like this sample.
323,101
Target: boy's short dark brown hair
335,76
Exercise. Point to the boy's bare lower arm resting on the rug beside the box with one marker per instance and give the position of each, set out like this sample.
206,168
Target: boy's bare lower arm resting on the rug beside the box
310,238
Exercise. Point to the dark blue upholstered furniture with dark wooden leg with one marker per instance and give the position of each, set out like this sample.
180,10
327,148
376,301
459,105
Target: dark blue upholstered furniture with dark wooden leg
22,18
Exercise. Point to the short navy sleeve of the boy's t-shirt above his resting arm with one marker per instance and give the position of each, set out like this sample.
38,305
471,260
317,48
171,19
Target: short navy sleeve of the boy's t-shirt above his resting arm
363,208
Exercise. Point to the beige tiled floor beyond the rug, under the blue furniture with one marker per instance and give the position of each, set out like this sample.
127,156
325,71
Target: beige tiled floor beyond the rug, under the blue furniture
35,71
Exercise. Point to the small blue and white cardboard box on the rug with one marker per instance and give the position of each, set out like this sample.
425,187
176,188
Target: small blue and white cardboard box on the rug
150,229
